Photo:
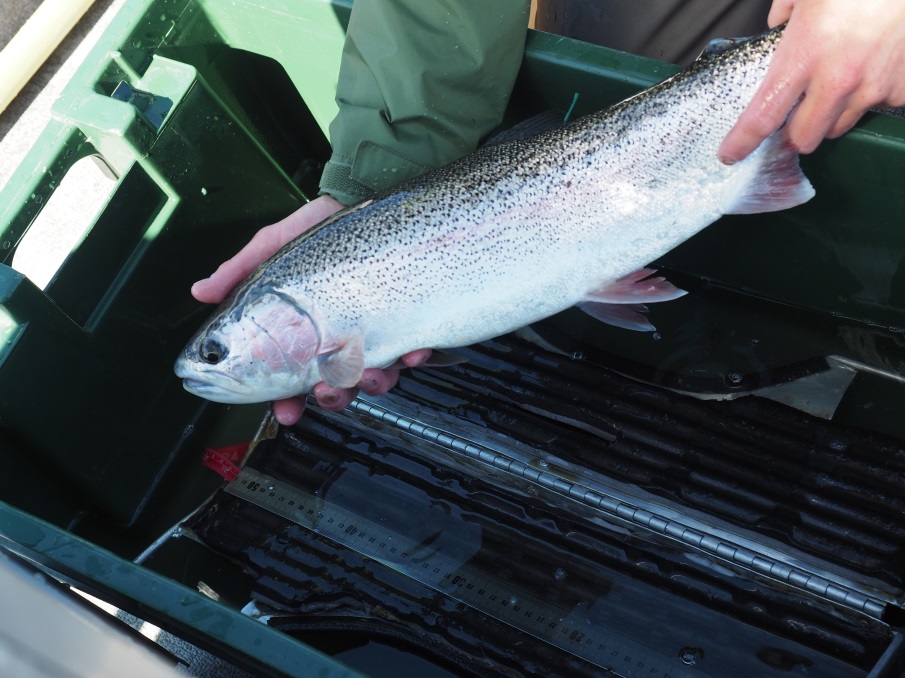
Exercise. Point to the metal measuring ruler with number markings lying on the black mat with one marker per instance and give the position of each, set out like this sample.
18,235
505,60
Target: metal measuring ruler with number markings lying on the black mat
573,631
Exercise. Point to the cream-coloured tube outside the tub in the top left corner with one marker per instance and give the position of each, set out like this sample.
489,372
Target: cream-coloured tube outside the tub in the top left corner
35,41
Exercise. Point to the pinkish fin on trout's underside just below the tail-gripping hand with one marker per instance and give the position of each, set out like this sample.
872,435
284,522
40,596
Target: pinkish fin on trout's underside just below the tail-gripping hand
777,184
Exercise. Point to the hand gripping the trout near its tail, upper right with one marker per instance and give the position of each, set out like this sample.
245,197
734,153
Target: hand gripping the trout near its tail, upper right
839,57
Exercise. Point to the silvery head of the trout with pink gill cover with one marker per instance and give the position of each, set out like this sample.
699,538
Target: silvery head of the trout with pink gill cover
256,348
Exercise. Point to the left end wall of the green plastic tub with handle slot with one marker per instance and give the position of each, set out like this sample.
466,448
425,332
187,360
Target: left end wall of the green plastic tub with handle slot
200,166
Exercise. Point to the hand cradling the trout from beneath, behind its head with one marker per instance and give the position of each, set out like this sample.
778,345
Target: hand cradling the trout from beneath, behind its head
261,247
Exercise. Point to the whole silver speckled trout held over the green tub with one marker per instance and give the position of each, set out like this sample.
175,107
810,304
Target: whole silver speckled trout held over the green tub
506,236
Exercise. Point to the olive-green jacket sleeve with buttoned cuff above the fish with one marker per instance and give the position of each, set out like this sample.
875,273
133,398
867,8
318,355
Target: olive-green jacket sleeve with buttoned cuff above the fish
420,83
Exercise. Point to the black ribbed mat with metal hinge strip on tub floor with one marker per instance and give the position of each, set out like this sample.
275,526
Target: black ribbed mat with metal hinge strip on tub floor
691,537
